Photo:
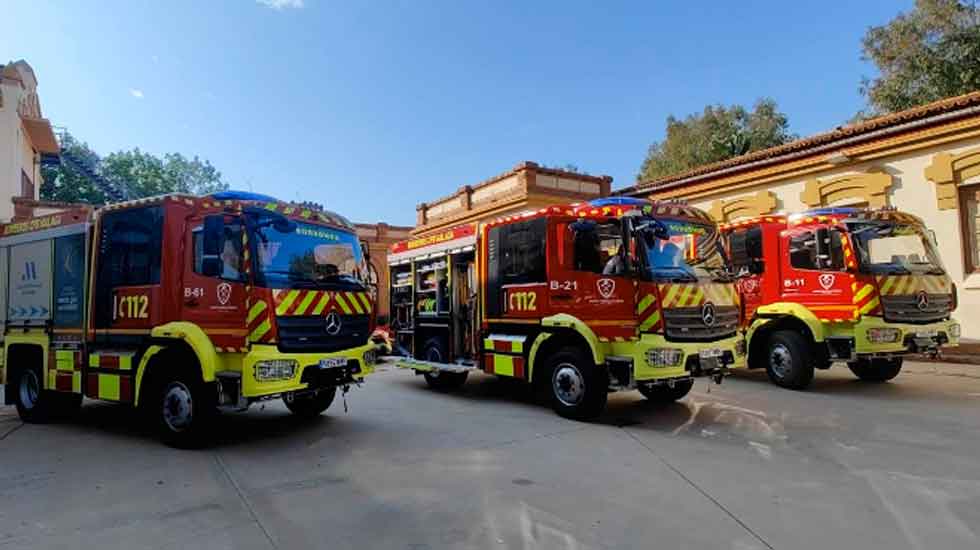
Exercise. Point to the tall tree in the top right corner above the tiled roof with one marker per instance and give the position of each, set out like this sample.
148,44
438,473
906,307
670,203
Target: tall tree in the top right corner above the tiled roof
929,53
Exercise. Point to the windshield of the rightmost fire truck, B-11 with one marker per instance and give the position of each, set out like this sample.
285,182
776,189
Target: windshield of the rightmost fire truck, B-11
895,248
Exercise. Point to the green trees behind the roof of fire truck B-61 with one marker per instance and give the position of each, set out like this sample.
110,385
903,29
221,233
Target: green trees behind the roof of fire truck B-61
141,173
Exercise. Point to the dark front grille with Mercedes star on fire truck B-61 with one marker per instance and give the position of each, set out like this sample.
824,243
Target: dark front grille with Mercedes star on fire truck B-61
308,333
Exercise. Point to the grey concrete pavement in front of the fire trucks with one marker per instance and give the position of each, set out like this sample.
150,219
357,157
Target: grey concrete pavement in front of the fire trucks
740,466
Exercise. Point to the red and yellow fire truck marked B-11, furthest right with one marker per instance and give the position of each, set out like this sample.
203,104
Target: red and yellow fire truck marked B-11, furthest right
861,286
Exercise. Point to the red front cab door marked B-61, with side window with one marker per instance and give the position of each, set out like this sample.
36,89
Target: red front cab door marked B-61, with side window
216,303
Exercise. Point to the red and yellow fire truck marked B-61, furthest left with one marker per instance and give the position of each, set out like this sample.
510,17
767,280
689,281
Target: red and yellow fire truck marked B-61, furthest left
183,306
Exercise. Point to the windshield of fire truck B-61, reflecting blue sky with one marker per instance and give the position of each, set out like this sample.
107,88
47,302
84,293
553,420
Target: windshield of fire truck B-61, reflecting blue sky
307,256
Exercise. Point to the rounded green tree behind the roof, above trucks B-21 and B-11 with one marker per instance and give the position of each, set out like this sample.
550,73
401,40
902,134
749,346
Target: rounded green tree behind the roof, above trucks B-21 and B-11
716,134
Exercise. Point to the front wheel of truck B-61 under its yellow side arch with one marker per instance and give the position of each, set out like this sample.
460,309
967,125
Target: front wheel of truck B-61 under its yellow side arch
184,408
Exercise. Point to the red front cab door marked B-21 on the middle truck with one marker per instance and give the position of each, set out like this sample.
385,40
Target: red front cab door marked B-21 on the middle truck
591,278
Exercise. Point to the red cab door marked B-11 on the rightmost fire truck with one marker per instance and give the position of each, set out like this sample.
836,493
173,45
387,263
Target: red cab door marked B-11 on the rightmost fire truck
814,272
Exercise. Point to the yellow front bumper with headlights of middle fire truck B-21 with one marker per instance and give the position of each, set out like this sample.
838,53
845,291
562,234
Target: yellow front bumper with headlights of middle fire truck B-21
654,358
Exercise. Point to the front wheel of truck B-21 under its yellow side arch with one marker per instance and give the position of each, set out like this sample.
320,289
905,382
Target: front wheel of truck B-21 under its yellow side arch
578,388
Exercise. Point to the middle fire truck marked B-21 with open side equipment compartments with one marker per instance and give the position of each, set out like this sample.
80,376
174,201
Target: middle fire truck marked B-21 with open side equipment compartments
578,300
